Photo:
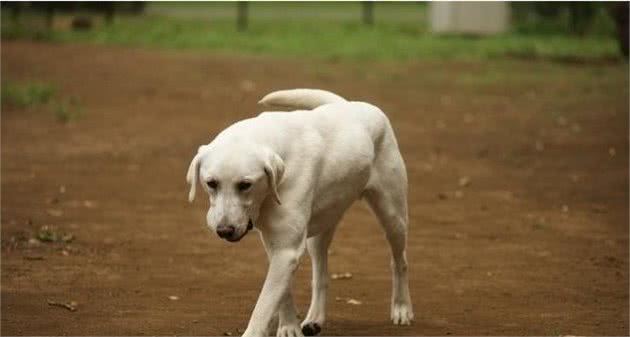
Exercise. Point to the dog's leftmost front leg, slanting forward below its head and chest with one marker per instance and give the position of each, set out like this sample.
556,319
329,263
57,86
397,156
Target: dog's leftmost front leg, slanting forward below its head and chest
282,265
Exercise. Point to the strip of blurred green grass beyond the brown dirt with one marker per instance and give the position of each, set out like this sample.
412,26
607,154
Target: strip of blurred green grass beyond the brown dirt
338,36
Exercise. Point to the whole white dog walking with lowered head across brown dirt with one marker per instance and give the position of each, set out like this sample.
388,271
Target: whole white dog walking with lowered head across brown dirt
292,175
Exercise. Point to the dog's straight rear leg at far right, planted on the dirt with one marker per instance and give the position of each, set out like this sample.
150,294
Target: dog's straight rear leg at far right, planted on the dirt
387,196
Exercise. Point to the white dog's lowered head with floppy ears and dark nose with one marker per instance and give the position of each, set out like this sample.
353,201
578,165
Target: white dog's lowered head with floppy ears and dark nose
238,179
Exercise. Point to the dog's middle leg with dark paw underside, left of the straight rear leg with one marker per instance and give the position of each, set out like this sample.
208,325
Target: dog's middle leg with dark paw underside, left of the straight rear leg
317,247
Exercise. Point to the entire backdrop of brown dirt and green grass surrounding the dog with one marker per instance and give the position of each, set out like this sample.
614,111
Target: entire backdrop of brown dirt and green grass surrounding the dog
512,118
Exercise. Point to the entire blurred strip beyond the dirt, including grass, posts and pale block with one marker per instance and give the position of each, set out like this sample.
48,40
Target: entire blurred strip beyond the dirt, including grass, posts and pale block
365,30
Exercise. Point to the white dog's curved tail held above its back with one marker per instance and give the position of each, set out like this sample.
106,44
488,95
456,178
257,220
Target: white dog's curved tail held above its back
300,98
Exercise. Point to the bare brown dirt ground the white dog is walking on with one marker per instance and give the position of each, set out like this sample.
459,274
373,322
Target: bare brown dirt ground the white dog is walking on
518,196
